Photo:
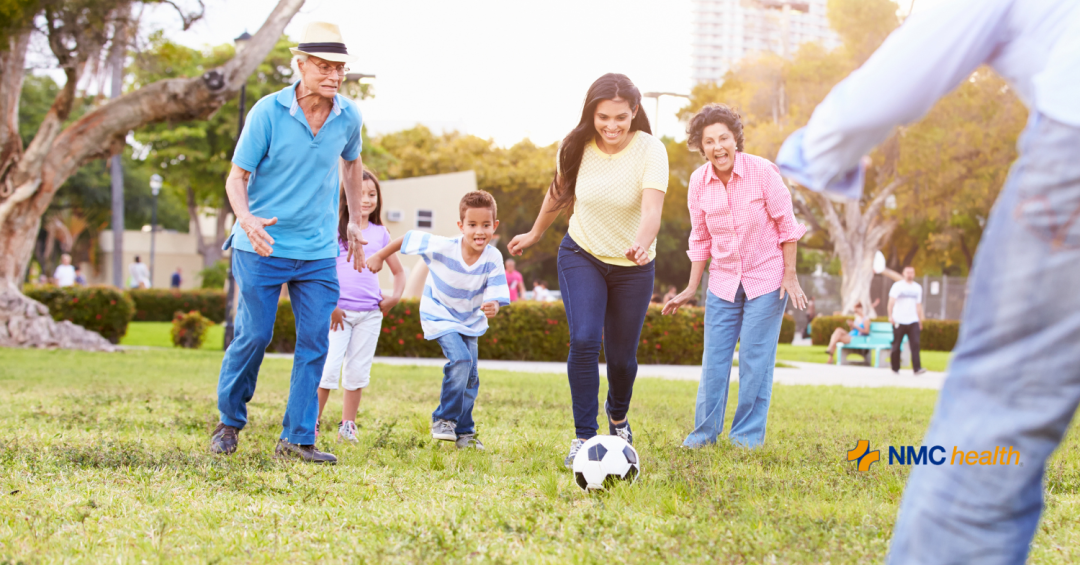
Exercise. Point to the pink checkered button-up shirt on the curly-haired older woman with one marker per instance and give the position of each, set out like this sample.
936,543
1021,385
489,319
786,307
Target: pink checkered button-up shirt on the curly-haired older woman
741,226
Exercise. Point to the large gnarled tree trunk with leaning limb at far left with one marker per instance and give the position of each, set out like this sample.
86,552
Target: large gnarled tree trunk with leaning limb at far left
30,179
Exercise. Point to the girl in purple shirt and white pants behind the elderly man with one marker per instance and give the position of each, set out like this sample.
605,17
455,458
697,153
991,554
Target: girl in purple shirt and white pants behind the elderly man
358,319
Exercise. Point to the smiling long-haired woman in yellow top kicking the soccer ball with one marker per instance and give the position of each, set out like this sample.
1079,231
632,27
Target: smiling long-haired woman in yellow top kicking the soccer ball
614,174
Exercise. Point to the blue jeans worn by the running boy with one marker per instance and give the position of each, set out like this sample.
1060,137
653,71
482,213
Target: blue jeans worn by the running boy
461,382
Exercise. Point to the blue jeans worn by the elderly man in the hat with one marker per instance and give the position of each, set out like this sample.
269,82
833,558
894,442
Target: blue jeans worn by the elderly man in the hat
314,291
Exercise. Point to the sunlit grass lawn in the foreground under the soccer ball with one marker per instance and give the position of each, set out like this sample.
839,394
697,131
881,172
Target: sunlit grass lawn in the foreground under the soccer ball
103,459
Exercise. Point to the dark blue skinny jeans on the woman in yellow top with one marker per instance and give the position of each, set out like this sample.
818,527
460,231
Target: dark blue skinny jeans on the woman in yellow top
605,306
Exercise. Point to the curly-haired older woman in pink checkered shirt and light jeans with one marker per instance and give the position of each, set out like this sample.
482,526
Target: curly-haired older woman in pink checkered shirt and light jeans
741,218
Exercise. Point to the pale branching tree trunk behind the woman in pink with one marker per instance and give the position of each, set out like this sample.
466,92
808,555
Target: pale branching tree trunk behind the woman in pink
857,237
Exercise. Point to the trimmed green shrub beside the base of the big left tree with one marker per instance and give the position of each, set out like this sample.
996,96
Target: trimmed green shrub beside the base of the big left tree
102,310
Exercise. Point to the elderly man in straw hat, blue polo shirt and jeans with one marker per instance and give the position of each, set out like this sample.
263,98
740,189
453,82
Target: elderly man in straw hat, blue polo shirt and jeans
283,189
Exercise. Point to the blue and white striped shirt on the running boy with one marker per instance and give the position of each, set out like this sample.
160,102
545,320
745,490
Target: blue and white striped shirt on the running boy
455,292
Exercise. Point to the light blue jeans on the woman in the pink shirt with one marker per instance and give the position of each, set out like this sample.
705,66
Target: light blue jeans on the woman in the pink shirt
757,326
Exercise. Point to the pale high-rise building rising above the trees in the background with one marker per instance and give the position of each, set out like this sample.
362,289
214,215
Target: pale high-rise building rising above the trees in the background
726,32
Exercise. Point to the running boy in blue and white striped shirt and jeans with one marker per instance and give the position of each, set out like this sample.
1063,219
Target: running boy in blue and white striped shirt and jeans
466,286
